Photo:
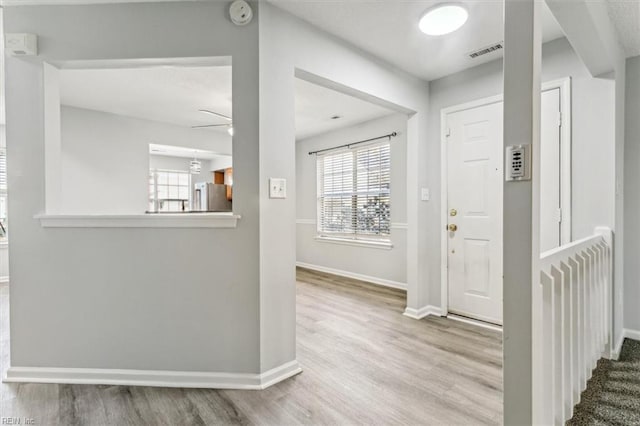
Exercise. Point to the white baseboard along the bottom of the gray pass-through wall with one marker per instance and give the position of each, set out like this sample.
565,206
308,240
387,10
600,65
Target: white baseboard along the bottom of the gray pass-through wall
171,379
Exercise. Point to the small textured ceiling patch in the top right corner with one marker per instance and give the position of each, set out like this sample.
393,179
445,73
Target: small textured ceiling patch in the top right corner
625,15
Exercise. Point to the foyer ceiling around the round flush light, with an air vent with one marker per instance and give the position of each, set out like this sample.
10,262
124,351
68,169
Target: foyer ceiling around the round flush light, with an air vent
389,30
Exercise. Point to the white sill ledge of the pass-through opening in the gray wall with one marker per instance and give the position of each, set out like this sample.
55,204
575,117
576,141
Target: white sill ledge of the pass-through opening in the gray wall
178,220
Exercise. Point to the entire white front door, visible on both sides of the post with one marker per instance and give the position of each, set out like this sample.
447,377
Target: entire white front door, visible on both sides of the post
472,183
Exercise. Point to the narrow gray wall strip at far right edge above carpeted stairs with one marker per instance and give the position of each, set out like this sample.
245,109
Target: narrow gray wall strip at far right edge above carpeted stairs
632,197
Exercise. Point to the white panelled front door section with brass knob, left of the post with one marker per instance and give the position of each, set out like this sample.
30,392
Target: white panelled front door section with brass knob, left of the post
474,152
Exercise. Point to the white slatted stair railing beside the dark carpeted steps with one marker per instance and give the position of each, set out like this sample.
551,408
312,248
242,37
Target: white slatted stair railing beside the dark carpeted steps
571,323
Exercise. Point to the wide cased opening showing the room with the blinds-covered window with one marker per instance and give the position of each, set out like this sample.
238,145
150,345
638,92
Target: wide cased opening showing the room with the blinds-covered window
351,186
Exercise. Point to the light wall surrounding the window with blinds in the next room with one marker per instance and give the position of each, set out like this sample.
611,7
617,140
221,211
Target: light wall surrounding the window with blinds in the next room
388,265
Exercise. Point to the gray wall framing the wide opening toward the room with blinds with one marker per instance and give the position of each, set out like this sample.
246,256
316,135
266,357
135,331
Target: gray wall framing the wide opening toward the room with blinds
289,46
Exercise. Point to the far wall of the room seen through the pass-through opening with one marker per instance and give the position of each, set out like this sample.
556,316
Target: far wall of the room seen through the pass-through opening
105,159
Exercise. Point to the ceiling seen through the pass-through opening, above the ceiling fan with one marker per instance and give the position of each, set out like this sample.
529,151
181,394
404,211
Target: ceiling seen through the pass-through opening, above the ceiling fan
165,94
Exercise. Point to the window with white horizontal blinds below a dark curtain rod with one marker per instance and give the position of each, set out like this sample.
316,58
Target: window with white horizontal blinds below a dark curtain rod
354,198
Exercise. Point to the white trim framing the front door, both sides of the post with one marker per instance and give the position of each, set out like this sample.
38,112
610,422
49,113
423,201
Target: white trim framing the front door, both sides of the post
564,84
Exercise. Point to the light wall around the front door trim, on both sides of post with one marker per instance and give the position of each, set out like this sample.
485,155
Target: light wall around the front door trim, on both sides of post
593,135
